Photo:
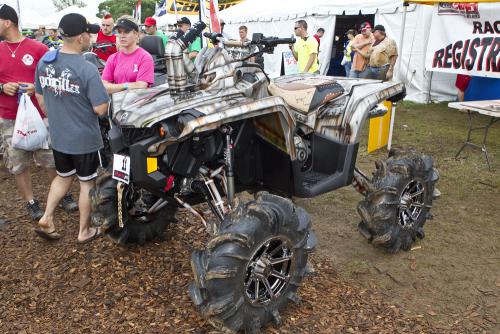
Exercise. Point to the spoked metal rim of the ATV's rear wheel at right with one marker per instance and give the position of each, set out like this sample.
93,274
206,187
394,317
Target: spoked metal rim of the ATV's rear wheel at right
411,203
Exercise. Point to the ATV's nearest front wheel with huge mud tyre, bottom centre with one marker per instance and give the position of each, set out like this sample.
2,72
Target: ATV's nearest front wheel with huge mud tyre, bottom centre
249,272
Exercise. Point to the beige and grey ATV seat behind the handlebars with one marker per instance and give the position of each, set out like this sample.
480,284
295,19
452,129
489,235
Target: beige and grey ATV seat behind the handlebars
305,92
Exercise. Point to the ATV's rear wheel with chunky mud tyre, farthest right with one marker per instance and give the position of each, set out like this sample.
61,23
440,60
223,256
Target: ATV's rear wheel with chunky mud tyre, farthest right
394,213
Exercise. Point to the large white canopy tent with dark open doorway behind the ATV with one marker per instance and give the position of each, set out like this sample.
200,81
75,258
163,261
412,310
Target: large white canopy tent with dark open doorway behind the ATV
276,18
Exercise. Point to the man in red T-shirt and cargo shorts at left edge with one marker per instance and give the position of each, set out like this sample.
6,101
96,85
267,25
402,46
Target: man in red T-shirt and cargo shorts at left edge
18,59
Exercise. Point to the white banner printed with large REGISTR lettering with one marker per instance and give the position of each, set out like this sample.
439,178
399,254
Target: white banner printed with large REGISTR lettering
465,39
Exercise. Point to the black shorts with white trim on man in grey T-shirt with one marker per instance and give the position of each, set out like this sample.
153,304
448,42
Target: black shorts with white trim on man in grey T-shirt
83,165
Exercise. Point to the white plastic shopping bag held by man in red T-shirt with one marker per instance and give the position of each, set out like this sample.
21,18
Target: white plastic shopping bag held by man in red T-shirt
30,132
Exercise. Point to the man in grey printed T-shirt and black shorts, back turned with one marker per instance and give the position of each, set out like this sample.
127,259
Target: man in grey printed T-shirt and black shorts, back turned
71,92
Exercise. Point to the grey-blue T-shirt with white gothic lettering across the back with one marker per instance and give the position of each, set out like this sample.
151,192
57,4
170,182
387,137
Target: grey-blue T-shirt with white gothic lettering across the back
71,87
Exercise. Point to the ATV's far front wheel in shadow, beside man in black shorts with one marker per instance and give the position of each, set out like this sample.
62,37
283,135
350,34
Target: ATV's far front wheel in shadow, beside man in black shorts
137,228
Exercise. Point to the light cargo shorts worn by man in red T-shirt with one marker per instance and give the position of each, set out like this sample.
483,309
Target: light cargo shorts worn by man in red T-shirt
15,160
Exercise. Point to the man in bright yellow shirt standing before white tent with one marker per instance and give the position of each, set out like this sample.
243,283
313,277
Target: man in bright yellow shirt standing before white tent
305,49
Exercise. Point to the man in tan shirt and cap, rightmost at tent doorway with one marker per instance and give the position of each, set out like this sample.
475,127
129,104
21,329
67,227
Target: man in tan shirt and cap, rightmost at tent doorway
381,56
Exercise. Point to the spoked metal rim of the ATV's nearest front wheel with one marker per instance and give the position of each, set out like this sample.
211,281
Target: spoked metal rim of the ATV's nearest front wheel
269,270
